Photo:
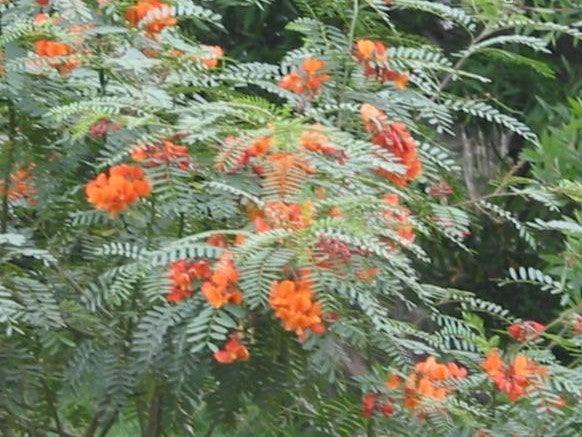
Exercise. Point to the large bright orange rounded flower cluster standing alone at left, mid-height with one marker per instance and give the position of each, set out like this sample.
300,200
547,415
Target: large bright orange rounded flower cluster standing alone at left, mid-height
116,190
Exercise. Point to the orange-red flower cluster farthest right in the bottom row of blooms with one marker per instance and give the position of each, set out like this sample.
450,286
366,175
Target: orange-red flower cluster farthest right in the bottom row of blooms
512,379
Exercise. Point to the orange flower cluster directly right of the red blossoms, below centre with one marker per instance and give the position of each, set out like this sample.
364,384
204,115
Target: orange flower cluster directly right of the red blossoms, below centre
220,288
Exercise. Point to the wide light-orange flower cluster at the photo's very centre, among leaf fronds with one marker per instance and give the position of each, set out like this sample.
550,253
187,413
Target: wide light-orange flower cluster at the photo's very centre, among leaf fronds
278,214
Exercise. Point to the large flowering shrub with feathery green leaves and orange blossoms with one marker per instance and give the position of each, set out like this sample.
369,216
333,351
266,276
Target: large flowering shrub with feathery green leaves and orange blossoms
187,236
